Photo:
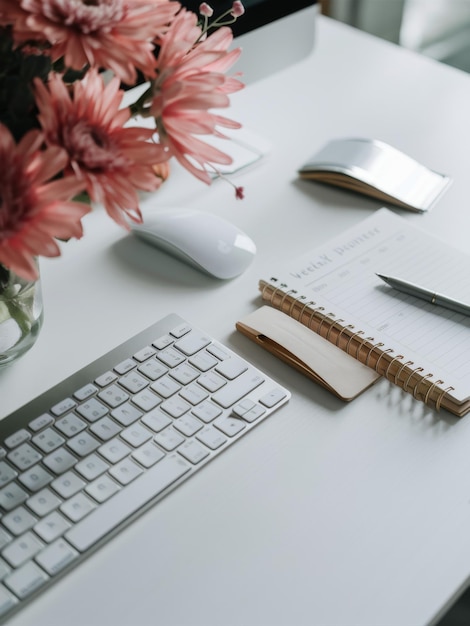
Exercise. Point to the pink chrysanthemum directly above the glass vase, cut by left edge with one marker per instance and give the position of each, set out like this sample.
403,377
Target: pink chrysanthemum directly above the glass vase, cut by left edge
33,209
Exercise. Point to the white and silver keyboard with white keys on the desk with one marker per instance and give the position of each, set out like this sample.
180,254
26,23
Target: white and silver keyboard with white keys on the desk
91,454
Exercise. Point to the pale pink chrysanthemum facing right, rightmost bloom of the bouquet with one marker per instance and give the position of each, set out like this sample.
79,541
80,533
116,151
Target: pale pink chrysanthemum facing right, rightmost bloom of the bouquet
190,82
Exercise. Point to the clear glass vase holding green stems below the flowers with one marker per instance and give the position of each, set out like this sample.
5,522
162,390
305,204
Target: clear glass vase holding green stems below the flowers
21,314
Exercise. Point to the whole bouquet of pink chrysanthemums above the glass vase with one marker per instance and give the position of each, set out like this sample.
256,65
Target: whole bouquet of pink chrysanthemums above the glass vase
63,130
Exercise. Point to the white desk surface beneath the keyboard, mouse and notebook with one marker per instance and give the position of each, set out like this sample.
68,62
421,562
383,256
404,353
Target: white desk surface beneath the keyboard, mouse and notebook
328,514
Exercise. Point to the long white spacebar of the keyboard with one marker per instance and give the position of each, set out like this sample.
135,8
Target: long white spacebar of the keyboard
124,503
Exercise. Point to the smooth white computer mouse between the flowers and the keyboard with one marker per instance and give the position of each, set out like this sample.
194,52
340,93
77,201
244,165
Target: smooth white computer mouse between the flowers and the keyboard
203,240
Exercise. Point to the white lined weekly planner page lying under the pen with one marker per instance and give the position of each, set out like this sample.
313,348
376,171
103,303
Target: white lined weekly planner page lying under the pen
341,278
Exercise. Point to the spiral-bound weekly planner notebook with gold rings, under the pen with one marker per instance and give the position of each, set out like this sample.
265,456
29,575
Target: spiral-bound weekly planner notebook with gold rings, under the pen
335,291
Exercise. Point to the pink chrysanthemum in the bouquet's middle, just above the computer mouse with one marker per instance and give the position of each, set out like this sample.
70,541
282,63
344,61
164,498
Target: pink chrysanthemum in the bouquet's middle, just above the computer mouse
113,161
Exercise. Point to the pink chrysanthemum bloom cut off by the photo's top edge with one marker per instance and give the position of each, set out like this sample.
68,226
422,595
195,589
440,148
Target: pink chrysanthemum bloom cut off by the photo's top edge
117,35
